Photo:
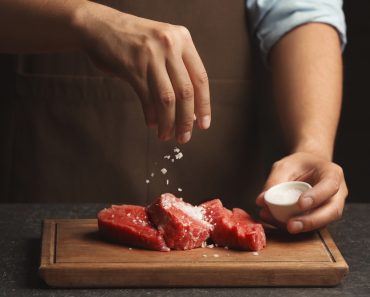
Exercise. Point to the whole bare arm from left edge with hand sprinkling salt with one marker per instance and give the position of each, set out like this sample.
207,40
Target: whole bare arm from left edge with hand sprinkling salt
159,60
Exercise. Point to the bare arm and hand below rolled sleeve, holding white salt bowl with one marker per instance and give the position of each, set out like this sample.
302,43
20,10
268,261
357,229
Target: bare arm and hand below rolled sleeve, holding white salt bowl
307,75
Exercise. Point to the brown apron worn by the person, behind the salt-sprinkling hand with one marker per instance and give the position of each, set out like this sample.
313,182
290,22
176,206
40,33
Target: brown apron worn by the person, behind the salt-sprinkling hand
79,135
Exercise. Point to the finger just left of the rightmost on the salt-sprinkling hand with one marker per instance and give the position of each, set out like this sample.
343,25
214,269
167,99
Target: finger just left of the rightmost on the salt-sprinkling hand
184,99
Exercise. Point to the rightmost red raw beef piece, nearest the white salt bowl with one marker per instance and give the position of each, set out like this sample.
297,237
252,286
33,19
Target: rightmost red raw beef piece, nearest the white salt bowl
234,229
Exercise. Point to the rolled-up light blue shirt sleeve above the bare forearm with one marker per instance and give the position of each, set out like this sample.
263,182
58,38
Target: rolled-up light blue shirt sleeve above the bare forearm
272,19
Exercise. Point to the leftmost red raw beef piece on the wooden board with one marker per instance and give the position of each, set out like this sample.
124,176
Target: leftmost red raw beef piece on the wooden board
129,224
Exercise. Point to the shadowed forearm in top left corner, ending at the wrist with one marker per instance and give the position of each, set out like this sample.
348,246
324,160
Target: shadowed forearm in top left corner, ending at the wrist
39,25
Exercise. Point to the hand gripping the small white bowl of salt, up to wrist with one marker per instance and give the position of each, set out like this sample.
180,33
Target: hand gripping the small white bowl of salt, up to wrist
322,204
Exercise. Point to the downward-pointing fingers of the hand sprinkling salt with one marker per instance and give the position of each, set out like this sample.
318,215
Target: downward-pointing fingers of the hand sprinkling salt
180,89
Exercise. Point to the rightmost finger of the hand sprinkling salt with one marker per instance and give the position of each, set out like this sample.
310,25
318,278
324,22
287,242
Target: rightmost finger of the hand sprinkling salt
199,78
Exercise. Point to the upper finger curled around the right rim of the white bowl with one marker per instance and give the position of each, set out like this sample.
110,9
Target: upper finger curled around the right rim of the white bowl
327,187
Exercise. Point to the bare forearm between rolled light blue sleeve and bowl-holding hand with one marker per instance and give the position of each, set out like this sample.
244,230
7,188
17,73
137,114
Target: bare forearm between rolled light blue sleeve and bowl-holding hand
307,76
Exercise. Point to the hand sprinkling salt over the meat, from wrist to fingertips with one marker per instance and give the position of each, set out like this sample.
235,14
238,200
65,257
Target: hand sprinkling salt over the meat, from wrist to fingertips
159,60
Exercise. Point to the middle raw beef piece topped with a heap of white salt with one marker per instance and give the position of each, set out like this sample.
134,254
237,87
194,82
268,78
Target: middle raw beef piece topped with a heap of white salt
180,223
